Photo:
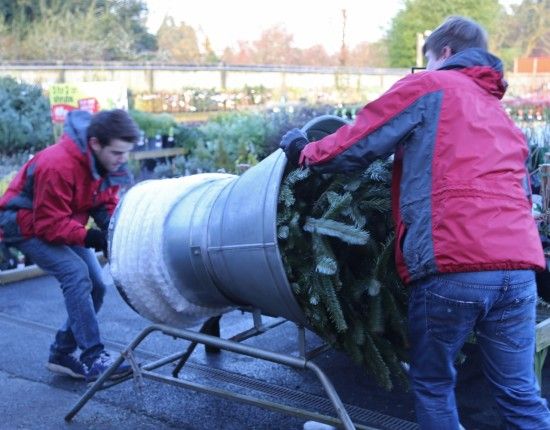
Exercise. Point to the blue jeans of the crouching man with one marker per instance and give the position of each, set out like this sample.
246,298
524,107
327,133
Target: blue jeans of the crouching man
79,274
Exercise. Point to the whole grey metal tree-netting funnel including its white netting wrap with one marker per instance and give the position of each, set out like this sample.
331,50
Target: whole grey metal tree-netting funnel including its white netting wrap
187,248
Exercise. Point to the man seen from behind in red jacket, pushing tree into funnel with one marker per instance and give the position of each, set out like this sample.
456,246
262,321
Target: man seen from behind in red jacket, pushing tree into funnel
466,241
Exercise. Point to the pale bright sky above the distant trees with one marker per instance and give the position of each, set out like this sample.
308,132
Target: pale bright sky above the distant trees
311,22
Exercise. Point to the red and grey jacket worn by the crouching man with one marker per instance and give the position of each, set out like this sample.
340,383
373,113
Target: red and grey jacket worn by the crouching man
56,191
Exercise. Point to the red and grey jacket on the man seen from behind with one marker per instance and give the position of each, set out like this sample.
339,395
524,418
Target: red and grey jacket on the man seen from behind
461,194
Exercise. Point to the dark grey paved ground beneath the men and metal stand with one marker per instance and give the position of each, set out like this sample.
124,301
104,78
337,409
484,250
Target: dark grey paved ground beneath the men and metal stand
33,398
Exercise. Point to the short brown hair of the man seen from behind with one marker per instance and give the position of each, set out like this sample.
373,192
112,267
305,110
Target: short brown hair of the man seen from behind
458,33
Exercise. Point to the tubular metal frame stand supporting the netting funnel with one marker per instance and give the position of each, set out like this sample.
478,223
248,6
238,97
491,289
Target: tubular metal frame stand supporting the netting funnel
209,337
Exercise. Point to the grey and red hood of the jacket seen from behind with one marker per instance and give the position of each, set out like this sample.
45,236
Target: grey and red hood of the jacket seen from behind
482,67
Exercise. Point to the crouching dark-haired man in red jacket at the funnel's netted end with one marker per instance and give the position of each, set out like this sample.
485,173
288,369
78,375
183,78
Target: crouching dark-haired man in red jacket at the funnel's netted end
44,213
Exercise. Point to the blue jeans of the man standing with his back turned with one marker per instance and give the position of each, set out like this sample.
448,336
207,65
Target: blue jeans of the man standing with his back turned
499,307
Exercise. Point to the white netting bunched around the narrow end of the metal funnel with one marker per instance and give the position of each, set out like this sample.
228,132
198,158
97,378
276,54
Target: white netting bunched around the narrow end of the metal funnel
137,251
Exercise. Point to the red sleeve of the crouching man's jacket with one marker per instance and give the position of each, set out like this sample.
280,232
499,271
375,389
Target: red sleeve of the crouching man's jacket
52,214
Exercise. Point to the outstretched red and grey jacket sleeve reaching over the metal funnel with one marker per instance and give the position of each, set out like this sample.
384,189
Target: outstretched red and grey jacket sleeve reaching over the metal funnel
375,133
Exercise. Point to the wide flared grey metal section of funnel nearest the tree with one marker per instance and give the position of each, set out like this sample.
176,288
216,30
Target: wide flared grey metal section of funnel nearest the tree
242,242
